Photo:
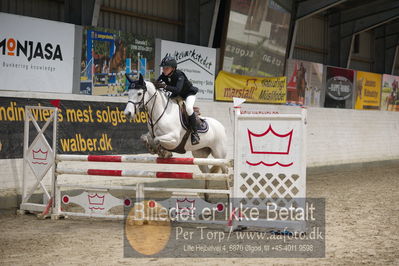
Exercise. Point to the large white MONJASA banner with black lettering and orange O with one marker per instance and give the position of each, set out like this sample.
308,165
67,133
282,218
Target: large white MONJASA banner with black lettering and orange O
36,54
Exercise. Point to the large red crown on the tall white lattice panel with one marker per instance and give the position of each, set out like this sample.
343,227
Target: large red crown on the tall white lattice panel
273,143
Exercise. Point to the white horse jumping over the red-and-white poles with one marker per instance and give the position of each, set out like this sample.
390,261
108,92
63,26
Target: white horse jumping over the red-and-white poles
166,132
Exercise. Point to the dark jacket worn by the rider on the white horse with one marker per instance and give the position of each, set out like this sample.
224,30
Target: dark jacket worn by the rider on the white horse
178,84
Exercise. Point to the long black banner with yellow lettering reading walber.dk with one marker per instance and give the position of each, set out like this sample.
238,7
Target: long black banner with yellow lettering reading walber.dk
84,127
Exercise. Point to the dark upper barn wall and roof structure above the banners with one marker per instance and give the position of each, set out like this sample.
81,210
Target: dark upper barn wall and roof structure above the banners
359,34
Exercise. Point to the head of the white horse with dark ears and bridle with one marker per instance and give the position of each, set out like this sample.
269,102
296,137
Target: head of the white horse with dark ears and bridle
137,90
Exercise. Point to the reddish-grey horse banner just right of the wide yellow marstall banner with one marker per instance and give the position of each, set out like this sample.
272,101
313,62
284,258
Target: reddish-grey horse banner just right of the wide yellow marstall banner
304,82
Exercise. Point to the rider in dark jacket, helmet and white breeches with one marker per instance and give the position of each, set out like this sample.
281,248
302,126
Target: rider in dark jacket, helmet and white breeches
175,81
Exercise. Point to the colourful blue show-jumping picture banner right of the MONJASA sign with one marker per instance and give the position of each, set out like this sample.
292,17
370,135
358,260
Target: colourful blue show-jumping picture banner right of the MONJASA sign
107,55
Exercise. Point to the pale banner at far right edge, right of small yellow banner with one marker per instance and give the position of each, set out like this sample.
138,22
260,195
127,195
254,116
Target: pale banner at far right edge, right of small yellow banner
389,96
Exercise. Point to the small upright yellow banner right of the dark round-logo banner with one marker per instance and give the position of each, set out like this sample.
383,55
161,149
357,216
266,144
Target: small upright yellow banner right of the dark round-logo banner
368,90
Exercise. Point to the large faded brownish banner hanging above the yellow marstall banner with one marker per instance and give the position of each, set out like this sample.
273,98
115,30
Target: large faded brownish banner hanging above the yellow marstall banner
256,38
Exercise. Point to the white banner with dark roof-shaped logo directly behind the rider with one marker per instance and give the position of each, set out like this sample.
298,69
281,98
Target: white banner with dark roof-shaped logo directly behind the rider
197,62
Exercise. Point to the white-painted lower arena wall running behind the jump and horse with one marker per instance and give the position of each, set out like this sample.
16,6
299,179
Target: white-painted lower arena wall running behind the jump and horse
334,136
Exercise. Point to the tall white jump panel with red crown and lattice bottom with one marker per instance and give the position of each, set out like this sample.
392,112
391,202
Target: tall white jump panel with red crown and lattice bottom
269,161
